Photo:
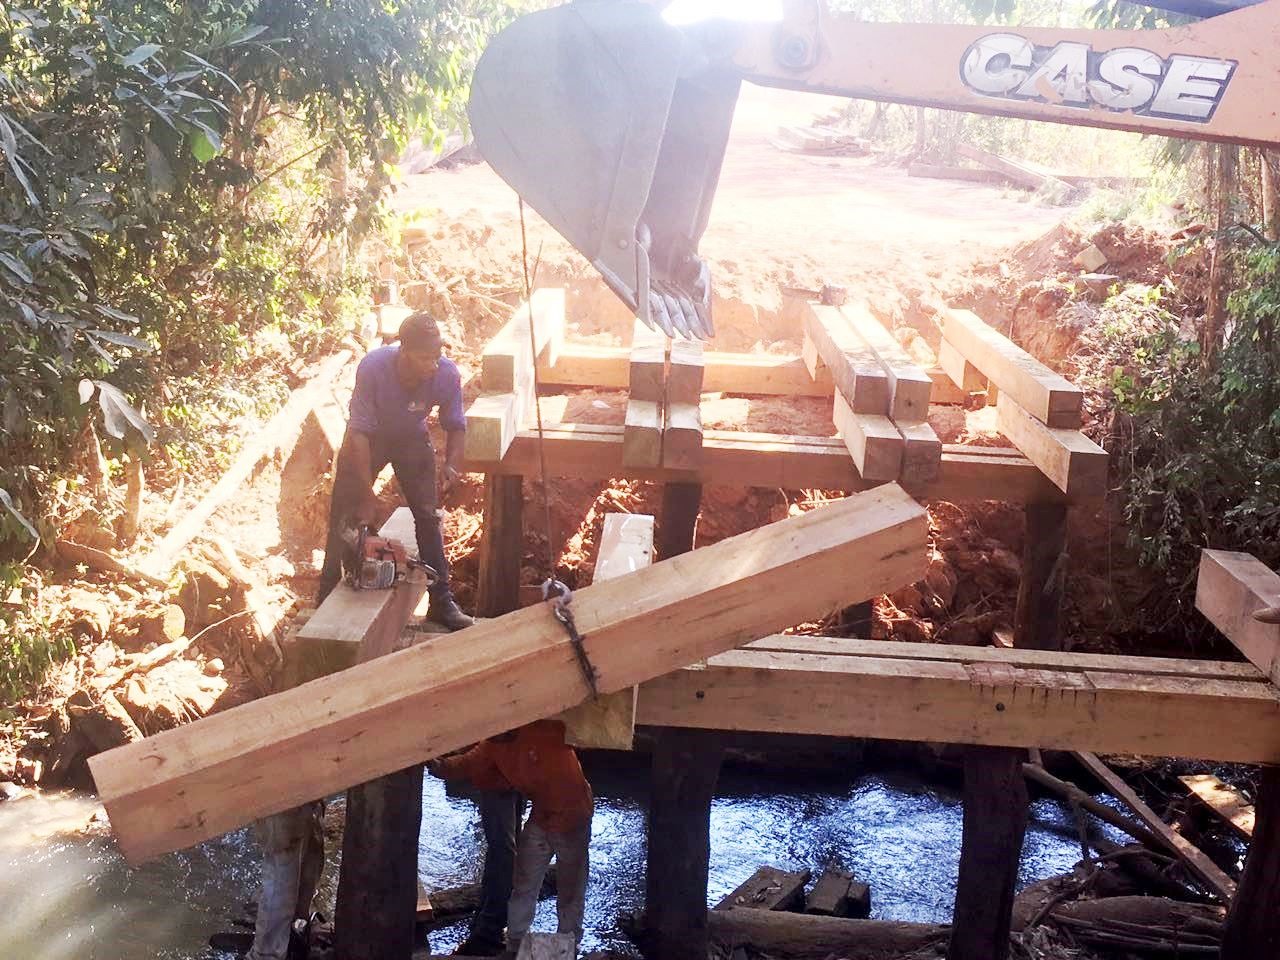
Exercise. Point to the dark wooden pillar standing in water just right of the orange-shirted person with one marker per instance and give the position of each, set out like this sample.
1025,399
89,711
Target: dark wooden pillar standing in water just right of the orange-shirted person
685,769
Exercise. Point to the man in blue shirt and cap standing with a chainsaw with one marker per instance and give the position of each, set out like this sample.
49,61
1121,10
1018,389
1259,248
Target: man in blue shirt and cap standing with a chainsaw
396,390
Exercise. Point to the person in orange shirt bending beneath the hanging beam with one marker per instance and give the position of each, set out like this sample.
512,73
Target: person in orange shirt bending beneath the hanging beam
537,762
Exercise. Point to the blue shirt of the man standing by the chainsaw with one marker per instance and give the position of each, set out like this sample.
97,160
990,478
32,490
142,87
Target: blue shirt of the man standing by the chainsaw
382,408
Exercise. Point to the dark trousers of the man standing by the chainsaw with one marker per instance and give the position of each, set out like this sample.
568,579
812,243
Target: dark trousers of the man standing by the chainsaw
414,461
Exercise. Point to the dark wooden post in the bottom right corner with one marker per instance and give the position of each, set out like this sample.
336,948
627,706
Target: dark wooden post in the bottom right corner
1254,924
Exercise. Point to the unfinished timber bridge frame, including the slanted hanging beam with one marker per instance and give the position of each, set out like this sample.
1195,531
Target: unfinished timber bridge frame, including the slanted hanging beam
390,708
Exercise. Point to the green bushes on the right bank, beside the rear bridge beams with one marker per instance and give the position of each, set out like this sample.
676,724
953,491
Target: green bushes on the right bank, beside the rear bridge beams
1197,445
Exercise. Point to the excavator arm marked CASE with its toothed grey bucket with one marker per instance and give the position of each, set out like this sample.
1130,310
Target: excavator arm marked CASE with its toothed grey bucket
612,122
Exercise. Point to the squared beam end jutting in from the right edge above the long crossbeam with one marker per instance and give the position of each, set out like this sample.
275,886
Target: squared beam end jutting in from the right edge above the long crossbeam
1229,591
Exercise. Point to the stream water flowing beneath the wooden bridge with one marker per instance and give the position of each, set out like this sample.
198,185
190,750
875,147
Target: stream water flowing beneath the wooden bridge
68,895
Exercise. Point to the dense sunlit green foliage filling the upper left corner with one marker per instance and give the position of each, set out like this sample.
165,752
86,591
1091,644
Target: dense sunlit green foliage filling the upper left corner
181,186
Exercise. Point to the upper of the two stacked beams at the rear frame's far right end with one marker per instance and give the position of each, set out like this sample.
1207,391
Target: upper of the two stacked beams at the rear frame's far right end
1046,396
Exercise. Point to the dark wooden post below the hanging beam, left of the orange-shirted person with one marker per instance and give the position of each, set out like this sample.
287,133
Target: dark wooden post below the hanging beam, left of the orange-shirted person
378,886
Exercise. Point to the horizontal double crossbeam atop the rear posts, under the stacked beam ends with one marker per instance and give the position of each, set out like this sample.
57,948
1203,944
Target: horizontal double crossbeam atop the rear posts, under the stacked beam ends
740,459
